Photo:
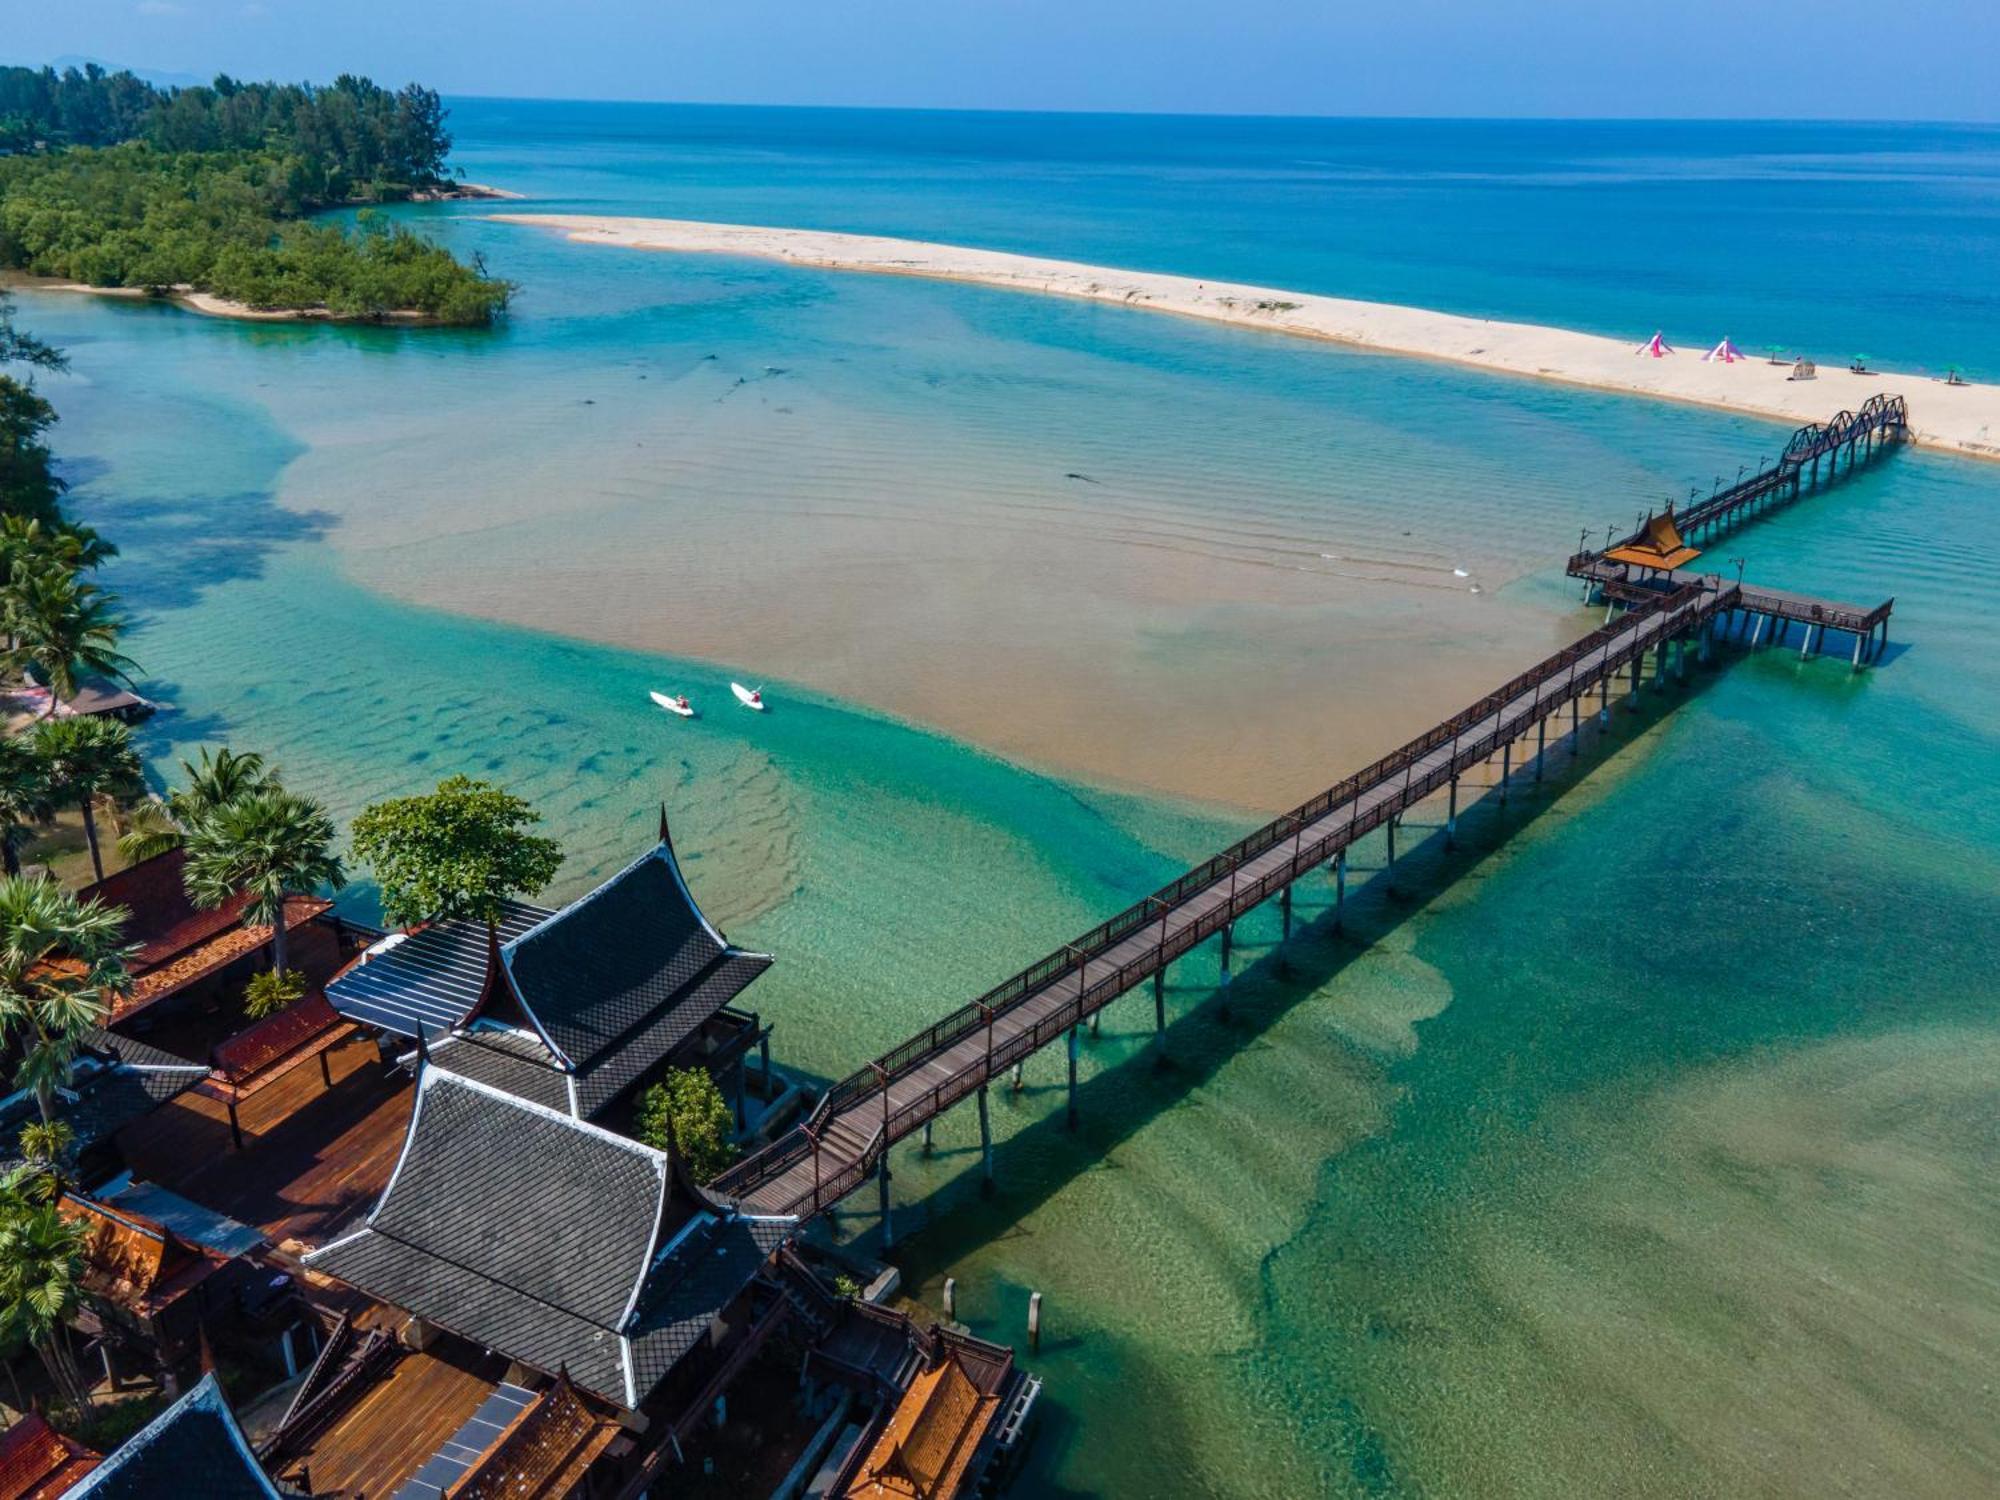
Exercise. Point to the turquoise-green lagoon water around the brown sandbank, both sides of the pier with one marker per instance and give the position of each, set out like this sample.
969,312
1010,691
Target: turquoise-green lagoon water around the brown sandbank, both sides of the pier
1645,1147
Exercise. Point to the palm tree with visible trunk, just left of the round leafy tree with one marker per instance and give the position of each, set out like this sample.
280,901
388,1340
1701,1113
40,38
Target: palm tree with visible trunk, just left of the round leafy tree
267,845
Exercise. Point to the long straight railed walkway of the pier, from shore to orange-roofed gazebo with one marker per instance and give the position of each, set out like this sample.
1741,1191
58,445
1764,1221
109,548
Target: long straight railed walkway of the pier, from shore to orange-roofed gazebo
867,1113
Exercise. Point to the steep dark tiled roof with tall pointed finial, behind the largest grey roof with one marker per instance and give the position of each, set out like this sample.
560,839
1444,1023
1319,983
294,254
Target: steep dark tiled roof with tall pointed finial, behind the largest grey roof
607,967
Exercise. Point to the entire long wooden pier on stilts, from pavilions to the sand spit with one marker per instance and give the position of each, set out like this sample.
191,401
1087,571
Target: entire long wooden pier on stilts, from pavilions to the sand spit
1665,611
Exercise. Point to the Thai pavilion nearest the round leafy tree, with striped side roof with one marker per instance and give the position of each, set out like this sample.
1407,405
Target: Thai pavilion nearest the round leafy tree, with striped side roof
567,1009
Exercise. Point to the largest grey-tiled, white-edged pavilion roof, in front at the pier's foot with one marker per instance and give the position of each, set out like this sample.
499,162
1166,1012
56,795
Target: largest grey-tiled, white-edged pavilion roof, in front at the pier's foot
565,1247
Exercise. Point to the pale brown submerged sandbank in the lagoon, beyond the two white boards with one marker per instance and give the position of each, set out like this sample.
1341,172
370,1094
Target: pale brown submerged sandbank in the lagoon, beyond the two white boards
1111,641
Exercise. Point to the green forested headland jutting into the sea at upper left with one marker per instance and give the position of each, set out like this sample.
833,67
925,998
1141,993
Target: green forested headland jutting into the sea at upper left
113,183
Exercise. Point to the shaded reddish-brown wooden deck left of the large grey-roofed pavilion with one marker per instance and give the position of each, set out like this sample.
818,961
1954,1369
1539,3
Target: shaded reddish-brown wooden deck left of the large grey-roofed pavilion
313,1157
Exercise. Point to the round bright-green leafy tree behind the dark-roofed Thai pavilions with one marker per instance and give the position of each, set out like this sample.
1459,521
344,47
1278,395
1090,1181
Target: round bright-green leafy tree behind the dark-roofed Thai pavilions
461,851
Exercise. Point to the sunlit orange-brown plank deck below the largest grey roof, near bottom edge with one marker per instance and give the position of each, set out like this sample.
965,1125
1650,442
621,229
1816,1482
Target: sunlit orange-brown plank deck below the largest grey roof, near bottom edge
399,1423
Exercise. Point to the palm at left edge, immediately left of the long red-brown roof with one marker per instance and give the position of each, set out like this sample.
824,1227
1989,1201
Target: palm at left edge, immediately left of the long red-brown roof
61,961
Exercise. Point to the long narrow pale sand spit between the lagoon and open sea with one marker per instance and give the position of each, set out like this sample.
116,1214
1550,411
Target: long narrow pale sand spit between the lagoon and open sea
1951,419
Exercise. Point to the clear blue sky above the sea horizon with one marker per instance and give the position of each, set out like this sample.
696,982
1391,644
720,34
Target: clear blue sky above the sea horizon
1797,59
